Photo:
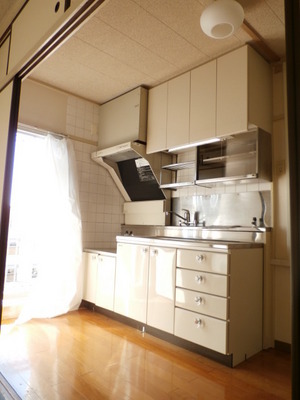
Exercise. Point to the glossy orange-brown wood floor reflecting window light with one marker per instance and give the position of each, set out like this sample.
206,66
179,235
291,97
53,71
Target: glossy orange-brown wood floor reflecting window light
84,355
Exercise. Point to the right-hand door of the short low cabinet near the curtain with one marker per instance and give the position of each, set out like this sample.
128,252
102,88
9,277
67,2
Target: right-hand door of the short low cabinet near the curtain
106,282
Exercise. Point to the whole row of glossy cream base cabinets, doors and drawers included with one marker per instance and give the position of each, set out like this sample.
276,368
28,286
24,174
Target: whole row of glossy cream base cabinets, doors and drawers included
209,297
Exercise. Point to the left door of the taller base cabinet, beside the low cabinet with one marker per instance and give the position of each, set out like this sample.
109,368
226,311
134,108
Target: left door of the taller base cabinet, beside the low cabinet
132,281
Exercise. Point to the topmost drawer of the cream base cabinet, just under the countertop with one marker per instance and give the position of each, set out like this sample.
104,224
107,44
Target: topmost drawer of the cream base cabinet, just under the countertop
203,261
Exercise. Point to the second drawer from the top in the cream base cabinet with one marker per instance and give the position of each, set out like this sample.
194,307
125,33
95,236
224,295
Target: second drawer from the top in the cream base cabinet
202,282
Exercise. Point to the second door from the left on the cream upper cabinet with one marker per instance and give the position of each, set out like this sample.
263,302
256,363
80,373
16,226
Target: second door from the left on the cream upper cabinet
178,112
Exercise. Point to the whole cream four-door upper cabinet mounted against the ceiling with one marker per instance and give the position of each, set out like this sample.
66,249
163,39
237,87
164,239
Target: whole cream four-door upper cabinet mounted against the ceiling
231,94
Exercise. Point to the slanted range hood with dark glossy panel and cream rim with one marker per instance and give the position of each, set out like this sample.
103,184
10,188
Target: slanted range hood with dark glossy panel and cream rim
134,172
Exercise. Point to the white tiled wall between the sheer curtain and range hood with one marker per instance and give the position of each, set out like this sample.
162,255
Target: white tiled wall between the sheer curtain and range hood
100,200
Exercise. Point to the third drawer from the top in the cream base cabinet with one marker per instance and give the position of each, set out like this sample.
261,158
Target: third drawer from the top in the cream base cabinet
202,303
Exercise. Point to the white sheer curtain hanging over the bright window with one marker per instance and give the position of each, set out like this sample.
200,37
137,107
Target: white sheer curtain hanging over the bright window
53,231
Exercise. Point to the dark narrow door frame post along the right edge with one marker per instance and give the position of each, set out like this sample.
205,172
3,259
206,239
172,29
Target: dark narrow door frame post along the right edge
292,8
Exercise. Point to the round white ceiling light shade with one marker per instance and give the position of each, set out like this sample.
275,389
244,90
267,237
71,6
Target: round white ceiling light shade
222,18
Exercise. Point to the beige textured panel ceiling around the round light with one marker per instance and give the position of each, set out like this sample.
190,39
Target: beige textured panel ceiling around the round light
128,43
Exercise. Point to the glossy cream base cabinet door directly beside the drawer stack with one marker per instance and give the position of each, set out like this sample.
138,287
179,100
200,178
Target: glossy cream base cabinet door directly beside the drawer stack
161,289
